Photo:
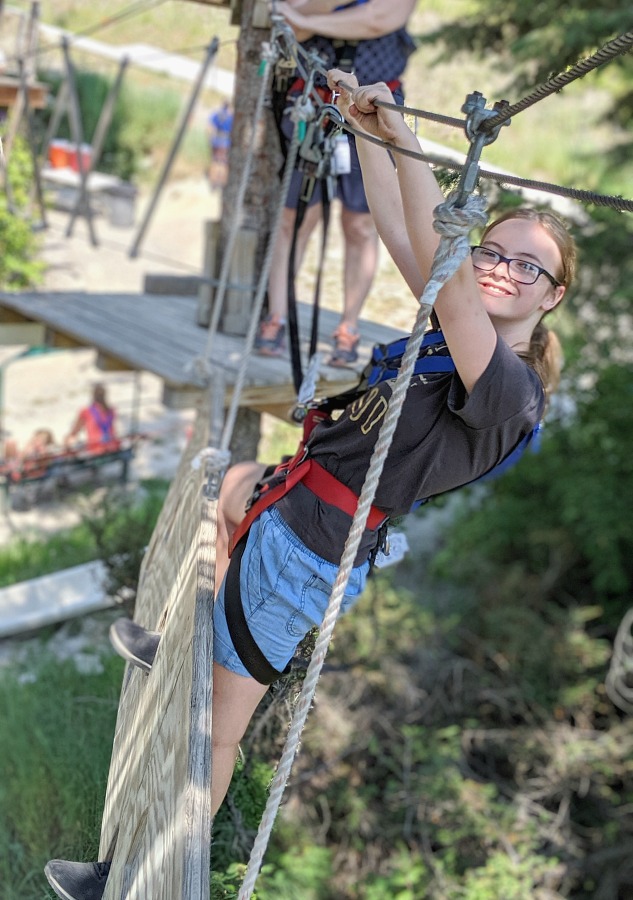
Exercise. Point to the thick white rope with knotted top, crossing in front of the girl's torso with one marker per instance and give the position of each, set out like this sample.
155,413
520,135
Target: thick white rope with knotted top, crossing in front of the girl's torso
453,225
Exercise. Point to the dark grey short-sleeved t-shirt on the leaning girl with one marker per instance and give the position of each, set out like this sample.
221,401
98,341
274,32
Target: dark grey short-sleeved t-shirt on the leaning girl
444,439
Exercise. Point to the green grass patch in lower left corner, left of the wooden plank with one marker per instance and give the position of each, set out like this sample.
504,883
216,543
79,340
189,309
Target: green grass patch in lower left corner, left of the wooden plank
56,730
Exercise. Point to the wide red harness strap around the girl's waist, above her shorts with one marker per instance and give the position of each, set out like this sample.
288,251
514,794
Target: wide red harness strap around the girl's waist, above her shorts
320,482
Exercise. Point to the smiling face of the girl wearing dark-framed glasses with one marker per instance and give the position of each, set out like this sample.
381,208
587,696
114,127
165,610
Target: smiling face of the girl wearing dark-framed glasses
507,299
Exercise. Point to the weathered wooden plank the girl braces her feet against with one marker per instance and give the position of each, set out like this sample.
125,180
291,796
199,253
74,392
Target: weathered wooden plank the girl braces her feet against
156,825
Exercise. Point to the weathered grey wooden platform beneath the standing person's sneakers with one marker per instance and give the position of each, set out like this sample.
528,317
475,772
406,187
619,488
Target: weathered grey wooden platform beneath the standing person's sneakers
159,334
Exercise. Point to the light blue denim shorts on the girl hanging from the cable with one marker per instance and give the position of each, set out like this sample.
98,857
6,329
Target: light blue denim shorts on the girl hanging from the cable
285,592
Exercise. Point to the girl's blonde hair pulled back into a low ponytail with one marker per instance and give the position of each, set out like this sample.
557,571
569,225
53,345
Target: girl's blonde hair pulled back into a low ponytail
545,354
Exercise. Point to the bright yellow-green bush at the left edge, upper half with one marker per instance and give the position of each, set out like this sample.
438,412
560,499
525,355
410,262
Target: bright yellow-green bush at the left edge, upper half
18,242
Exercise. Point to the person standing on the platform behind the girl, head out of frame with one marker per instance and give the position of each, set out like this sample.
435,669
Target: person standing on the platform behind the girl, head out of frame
368,37
